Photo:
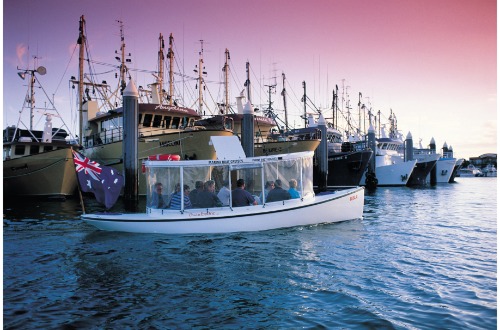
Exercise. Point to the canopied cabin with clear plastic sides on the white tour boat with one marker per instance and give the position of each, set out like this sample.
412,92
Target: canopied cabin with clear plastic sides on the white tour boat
257,172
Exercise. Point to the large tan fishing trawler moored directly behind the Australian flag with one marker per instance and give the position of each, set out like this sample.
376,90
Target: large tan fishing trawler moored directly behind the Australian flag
164,126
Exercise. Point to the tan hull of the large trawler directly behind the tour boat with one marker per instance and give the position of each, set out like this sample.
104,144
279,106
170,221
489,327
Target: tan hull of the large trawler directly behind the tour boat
187,144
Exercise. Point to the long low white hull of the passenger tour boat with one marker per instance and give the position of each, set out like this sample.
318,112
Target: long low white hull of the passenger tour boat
324,208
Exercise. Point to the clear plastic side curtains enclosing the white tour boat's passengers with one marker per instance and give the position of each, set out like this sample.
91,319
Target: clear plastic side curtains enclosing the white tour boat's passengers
179,185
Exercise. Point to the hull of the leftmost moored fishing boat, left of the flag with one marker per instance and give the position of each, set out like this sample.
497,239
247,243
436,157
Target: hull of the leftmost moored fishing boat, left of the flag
46,174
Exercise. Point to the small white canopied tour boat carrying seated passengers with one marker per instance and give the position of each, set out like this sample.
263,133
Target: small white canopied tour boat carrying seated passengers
232,164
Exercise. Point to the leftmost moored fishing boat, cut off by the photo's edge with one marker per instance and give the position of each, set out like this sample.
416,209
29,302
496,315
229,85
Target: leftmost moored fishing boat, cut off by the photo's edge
37,162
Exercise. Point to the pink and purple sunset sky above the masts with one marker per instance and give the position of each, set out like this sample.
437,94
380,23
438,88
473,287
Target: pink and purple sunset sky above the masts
432,62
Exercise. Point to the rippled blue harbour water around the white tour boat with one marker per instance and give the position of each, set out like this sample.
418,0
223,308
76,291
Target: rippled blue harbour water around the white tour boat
420,258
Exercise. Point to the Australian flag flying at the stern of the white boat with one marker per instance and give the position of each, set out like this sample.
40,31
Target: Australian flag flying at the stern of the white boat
104,181
